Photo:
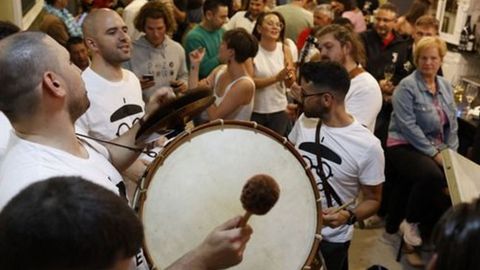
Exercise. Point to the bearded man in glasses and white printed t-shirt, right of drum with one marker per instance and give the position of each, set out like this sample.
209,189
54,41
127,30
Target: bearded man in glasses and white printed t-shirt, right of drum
344,156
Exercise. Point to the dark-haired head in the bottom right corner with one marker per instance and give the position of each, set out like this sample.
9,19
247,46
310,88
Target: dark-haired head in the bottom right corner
456,237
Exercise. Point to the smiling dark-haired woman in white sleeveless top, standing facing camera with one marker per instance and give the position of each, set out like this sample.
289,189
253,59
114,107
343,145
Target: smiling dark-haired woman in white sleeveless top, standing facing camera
274,72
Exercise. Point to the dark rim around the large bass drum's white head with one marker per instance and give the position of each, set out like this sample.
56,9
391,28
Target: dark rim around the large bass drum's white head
186,135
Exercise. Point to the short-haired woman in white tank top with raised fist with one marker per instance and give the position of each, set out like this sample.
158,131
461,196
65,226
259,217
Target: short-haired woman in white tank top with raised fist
232,86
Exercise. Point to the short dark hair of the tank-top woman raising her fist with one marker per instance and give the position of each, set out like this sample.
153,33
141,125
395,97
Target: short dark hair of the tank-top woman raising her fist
244,44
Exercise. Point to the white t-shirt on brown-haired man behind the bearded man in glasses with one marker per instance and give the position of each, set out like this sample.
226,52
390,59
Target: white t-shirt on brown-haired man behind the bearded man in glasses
364,99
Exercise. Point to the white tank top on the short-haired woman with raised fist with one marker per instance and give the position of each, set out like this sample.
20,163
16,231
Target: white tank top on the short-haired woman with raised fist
243,112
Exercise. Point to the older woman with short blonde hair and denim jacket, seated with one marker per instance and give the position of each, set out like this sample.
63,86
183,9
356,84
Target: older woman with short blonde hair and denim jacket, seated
423,123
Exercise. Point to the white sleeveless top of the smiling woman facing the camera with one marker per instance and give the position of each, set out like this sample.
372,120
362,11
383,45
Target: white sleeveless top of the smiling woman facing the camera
270,99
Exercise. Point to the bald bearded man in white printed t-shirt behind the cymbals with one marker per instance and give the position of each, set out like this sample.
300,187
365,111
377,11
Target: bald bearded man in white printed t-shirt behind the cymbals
115,94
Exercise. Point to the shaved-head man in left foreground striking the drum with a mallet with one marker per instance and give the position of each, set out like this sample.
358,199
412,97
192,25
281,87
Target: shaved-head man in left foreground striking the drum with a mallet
43,108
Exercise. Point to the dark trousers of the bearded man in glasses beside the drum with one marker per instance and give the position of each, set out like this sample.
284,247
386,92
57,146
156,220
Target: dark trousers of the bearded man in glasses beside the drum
335,255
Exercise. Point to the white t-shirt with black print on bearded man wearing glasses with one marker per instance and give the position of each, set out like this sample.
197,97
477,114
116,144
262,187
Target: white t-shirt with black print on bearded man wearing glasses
351,156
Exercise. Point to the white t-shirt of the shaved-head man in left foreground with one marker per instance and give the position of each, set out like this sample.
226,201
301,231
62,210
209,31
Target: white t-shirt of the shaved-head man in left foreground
28,162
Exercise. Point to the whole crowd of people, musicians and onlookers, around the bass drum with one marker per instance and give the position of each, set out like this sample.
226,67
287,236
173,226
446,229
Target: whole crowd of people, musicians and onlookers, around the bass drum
363,101
